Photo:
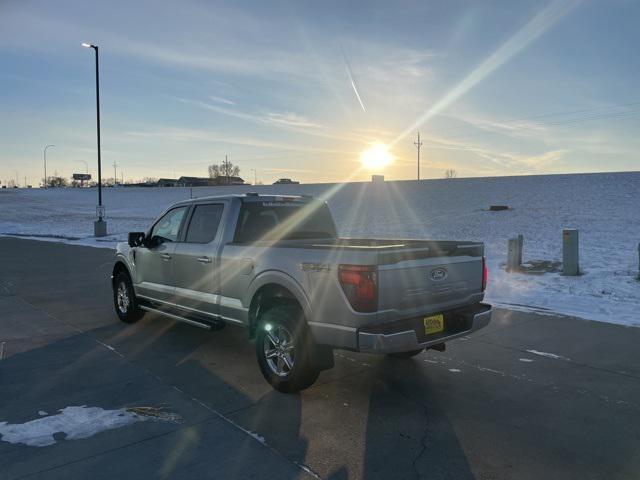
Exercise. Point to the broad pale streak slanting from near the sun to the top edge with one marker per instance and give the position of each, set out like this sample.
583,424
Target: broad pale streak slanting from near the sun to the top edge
539,24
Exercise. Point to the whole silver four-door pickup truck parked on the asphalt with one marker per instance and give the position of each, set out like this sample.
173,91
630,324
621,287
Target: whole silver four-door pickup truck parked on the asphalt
276,265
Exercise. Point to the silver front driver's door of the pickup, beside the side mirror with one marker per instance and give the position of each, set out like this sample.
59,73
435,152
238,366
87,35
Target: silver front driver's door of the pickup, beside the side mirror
154,262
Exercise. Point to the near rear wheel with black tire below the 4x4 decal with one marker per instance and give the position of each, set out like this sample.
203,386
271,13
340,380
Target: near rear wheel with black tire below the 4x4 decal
286,324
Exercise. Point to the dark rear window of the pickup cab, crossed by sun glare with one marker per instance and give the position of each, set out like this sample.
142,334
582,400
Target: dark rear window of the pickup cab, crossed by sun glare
284,220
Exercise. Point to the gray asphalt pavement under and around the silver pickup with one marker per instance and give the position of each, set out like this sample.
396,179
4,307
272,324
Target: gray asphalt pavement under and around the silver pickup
487,408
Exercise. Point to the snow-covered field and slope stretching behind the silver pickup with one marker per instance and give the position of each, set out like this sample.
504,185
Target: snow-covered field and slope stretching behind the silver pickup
604,207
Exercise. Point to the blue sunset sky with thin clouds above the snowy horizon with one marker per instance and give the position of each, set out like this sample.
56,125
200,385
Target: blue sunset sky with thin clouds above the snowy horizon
300,89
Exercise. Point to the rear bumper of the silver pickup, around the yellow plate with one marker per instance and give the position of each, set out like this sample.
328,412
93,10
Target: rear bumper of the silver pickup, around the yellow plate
400,337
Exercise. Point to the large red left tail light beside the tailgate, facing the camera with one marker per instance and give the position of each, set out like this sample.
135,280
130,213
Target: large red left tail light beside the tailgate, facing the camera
360,286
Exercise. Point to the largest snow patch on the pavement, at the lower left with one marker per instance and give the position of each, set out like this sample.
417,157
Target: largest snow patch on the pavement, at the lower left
73,422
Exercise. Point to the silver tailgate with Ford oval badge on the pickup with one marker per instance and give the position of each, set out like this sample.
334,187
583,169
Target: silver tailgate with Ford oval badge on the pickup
430,282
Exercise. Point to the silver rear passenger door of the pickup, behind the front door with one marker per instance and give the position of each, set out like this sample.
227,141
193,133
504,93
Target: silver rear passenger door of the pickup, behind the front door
196,260
